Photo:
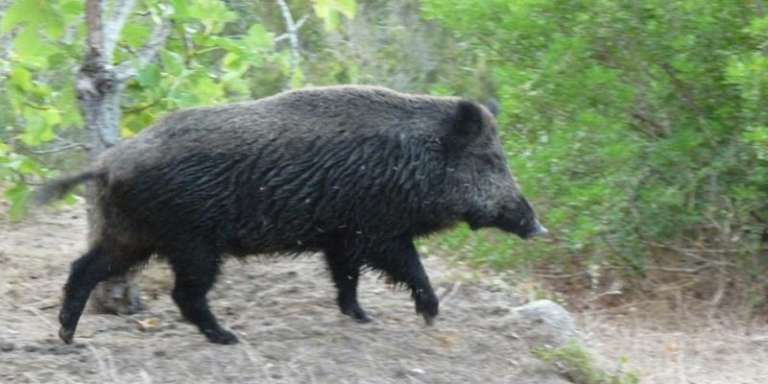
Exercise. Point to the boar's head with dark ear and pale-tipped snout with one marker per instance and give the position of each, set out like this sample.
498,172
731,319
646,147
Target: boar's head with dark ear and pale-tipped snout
483,189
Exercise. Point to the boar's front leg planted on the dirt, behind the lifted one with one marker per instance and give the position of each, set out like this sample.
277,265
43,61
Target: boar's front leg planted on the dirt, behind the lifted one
345,272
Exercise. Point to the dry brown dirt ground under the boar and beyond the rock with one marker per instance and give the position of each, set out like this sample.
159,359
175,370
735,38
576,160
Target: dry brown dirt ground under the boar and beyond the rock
284,313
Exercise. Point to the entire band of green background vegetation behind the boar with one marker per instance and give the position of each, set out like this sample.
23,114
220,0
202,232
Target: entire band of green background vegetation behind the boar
639,129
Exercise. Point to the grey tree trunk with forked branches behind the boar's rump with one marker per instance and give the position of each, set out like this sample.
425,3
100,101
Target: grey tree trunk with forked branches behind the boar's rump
99,86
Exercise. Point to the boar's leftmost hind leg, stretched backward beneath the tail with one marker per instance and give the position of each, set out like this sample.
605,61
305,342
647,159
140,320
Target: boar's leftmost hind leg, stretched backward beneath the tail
98,264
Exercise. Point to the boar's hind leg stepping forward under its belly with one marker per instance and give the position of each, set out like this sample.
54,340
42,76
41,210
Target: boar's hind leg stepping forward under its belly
196,272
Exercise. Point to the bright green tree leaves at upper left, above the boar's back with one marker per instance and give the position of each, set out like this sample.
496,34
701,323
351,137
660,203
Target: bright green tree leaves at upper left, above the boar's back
203,62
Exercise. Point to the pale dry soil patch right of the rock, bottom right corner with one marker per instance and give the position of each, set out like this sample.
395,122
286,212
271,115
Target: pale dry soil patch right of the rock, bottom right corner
669,347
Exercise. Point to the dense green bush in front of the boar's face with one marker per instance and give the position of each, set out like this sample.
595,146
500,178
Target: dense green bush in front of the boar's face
628,123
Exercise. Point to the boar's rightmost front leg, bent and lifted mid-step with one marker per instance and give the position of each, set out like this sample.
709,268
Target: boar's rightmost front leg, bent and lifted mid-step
400,261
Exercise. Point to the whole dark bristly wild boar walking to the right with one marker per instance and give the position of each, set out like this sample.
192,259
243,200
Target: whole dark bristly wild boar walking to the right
354,172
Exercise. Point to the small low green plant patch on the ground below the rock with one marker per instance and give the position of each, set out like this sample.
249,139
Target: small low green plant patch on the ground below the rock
578,365
